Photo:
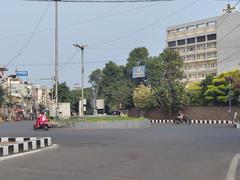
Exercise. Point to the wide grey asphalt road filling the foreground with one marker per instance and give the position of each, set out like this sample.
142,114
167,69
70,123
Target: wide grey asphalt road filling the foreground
162,151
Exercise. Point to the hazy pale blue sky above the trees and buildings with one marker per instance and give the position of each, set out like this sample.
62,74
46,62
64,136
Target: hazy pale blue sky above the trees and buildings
111,31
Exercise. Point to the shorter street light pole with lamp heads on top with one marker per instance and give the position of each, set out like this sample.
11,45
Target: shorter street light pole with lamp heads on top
82,47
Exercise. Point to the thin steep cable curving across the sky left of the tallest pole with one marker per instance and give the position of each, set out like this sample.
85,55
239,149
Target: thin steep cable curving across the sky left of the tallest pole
30,38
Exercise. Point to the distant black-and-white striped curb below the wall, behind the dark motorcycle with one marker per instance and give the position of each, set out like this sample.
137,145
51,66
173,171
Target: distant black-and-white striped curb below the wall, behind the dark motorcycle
196,121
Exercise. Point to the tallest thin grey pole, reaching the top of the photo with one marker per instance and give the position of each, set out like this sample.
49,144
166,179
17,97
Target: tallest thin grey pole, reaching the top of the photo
56,59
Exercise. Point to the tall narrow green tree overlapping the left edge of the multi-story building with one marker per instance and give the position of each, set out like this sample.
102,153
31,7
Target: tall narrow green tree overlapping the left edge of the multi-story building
170,94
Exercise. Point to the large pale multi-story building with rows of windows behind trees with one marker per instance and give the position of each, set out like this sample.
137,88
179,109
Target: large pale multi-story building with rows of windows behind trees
208,46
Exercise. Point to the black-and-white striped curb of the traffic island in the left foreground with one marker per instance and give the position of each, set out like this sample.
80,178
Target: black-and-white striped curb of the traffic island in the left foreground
15,145
